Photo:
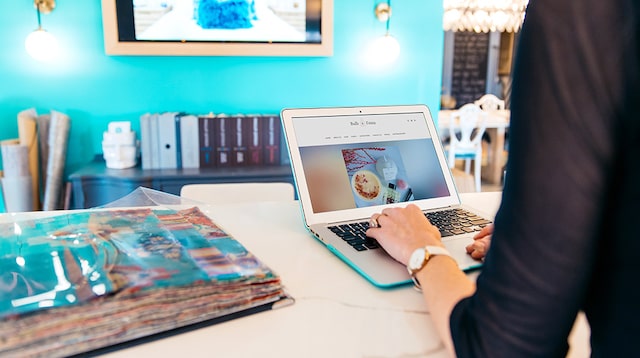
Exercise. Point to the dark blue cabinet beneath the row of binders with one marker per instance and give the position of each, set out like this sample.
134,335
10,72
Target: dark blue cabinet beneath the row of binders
95,184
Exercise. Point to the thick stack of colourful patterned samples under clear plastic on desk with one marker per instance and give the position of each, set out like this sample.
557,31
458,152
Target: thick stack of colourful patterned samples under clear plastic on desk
88,280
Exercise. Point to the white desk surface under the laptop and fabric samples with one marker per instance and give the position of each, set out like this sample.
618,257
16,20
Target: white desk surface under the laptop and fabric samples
337,312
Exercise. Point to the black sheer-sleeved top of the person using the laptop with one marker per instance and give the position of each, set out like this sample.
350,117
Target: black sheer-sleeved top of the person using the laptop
566,237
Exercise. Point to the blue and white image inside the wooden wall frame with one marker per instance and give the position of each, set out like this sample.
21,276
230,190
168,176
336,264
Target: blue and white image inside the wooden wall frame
220,20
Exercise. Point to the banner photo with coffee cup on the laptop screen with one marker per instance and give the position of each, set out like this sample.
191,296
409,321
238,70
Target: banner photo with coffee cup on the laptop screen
385,172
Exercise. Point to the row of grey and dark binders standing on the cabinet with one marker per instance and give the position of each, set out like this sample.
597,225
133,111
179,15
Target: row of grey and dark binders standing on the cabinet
173,140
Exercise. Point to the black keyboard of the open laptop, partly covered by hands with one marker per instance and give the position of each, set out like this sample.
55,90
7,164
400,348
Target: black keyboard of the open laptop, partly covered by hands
449,222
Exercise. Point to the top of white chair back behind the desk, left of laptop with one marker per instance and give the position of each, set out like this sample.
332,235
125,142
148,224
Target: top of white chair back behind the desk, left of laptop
228,193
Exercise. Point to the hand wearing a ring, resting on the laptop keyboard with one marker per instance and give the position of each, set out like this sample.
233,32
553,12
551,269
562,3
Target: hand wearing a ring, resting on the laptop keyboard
402,230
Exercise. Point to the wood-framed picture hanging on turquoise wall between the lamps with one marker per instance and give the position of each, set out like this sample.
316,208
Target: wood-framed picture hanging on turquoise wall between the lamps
218,27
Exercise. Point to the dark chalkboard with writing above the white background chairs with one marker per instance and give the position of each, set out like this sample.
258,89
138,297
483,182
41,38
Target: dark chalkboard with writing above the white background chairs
469,75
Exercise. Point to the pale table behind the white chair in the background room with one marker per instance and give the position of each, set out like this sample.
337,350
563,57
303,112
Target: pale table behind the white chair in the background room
497,122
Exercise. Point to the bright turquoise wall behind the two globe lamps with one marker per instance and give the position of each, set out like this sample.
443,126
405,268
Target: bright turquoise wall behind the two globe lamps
94,89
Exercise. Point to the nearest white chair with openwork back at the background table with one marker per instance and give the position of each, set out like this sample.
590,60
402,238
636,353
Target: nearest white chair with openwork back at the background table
466,127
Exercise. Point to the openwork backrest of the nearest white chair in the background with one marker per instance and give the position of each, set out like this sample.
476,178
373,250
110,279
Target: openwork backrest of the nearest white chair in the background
470,121
